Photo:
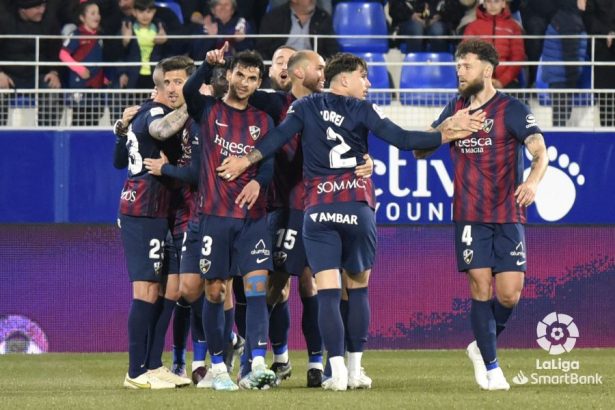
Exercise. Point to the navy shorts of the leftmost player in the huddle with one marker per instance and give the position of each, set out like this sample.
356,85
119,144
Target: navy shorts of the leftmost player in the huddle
144,245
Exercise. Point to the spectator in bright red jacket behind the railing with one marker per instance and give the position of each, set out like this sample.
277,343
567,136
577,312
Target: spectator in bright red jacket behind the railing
493,18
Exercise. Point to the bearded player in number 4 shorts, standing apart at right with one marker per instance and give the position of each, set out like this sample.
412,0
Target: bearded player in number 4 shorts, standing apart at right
490,200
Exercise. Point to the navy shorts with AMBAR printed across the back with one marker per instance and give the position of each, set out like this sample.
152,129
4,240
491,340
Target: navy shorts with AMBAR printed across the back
340,236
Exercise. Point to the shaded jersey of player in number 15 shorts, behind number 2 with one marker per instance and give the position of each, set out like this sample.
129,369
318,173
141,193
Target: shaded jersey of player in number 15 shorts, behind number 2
286,189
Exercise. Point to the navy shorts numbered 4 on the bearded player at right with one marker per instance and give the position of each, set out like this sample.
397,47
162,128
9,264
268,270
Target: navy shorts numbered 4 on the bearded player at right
500,247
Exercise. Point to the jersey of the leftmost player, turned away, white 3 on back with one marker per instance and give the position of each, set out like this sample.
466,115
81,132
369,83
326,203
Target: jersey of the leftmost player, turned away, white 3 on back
144,194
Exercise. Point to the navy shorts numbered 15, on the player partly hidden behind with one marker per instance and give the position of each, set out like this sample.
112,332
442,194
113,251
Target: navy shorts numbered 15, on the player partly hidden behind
286,228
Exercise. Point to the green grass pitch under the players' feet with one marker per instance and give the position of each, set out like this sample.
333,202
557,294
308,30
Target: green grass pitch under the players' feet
406,379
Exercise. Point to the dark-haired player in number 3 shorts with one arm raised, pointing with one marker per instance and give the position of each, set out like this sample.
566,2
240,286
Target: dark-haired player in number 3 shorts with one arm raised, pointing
234,238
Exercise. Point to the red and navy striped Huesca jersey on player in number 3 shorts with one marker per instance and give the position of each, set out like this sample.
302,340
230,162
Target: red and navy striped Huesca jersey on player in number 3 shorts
228,131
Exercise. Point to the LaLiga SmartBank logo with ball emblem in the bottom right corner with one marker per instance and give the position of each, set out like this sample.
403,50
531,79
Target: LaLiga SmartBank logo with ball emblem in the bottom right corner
557,334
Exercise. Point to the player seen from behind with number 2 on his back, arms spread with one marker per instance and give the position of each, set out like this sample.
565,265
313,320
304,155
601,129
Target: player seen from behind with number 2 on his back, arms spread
339,227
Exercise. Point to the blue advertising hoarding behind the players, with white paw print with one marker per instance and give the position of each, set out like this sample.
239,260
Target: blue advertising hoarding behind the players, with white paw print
67,176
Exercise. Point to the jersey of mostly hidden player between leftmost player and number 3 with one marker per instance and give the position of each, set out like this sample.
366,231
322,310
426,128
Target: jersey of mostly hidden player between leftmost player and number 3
184,201
